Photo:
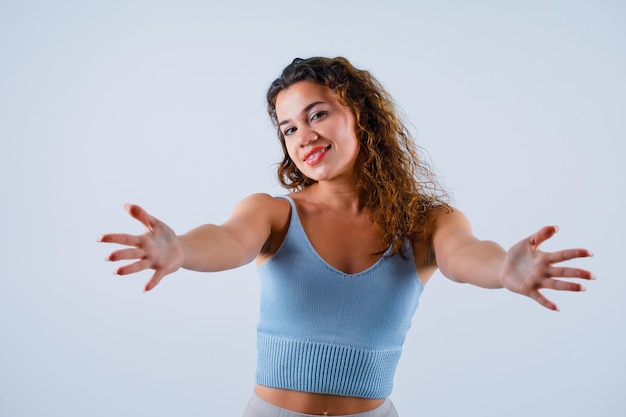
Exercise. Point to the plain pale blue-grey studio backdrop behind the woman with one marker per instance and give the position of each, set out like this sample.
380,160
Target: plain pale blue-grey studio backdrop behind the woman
519,106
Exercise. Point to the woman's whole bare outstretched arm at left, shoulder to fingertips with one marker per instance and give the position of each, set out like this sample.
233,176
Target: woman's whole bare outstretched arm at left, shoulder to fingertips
206,248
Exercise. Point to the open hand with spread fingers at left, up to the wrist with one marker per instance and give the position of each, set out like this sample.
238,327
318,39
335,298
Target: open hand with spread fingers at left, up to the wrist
158,249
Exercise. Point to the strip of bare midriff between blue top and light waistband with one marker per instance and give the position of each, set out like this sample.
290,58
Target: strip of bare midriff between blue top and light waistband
316,404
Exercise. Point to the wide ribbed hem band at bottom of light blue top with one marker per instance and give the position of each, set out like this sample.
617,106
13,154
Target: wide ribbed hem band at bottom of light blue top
325,368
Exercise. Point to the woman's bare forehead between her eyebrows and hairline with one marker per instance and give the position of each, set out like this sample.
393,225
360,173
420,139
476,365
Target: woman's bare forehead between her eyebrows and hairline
298,96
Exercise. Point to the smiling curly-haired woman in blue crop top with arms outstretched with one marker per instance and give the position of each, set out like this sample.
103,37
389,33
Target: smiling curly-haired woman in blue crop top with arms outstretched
344,257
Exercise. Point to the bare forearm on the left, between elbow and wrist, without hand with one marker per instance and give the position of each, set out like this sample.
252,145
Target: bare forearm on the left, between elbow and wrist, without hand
211,248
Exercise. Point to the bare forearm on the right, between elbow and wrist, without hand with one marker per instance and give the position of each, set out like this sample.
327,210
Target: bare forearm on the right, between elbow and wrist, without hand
478,263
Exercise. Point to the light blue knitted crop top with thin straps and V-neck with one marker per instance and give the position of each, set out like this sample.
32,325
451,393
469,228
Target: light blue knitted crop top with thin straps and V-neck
321,330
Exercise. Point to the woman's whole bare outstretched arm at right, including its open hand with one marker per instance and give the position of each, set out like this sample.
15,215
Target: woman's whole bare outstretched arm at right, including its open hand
523,269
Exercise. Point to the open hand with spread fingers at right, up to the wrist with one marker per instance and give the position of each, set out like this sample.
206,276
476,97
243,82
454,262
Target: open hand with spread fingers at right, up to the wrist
526,269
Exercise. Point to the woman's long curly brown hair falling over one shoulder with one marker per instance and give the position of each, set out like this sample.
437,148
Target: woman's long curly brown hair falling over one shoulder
394,185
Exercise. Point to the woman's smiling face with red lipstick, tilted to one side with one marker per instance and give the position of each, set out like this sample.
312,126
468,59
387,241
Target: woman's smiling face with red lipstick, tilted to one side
319,131
